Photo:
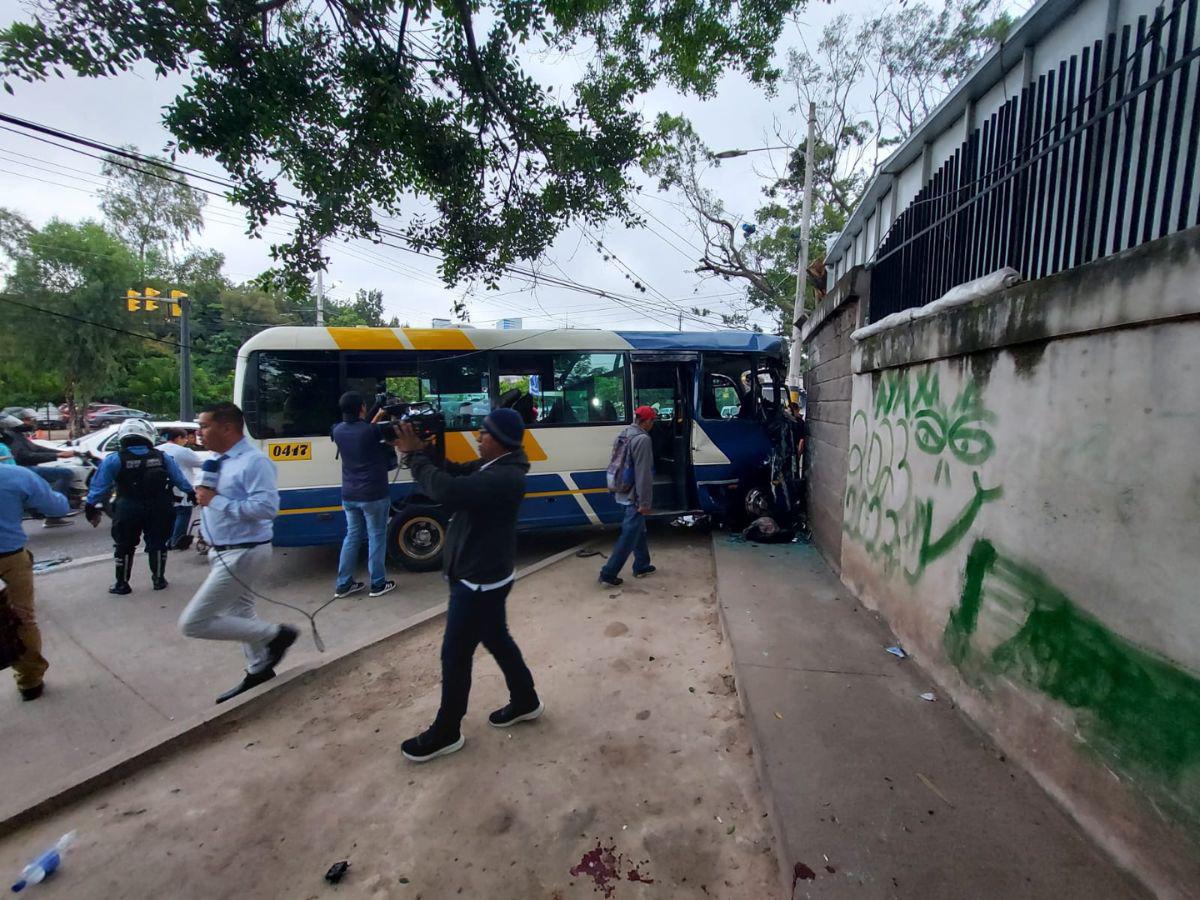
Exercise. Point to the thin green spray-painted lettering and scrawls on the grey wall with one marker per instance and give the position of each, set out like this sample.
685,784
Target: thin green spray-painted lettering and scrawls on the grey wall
899,526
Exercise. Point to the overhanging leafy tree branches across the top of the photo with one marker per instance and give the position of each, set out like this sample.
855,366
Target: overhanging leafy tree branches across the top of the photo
358,110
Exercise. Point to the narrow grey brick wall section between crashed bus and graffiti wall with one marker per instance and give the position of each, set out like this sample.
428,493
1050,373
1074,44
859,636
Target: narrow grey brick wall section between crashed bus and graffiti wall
827,383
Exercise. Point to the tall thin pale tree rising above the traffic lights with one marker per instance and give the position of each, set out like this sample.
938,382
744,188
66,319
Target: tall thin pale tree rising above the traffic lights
153,209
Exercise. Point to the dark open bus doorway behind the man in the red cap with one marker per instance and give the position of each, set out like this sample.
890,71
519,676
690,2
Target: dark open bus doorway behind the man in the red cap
665,383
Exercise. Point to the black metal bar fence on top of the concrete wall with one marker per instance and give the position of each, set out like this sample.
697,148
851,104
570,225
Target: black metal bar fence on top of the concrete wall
1089,160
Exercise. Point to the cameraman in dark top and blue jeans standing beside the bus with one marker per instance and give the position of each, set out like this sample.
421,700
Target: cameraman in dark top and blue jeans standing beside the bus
367,458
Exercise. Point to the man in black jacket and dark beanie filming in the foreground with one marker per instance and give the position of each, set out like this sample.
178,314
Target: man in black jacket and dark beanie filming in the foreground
484,499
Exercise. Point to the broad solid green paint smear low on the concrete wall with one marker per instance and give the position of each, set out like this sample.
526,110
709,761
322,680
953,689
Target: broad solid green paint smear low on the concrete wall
1139,710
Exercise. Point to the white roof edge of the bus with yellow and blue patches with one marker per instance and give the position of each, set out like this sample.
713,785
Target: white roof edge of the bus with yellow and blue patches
293,338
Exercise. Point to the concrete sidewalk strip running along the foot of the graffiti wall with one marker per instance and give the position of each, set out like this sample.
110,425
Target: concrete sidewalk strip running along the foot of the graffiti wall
875,793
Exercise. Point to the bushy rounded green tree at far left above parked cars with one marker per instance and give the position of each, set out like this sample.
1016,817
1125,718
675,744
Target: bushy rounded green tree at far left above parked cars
70,283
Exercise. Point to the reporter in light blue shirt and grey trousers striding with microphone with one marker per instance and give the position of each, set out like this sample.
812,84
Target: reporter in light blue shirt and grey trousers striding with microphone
241,500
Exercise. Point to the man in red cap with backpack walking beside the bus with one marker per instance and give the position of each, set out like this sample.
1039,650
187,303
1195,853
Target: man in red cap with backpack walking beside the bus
632,481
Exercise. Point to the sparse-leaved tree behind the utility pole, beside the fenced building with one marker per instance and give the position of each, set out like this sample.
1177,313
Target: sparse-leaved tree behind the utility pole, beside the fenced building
873,81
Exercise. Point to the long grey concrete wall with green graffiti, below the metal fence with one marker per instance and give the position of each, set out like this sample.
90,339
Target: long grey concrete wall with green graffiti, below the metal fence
1023,505
